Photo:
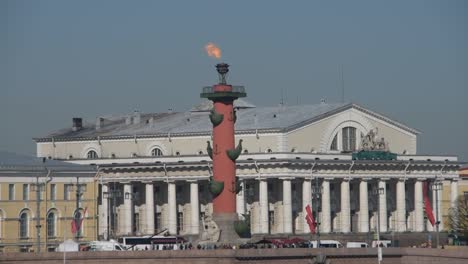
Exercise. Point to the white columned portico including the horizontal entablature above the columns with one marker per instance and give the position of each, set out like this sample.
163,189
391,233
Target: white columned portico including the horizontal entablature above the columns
183,212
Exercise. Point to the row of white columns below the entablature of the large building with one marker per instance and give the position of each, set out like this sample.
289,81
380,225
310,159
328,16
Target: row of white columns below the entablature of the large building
277,205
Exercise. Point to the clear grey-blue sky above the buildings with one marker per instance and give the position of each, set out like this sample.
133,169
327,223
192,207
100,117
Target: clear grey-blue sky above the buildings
407,60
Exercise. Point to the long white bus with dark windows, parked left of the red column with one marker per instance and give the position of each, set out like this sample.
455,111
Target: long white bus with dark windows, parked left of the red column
153,242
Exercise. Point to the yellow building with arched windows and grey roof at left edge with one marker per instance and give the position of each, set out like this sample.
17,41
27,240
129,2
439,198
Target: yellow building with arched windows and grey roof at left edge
39,200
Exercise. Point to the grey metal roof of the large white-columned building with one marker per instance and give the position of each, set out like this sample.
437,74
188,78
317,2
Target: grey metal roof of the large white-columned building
250,118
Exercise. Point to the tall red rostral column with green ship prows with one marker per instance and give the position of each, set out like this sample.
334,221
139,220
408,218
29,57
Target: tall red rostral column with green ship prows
223,152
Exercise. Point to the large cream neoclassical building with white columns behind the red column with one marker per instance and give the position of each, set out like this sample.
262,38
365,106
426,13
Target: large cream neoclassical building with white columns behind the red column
153,170
